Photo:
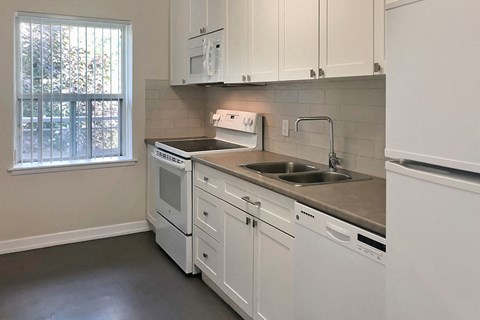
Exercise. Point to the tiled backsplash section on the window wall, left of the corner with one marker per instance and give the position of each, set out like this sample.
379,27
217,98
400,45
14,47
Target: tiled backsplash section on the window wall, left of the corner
174,111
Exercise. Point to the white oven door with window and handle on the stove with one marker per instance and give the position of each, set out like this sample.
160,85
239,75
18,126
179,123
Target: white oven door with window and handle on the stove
173,192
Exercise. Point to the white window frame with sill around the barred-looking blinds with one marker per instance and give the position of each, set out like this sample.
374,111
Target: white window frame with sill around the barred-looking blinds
125,105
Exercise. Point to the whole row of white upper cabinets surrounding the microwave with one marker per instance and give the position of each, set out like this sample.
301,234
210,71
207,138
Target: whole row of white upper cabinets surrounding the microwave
272,40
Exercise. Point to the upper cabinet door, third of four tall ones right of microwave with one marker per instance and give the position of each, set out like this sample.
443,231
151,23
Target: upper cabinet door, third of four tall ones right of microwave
298,36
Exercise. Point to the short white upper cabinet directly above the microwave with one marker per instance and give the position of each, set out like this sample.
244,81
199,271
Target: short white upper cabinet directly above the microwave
205,16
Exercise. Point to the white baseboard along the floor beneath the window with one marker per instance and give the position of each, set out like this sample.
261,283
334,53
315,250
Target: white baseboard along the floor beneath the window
55,239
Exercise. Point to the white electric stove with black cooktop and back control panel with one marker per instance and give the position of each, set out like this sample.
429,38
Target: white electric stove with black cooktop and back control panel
235,131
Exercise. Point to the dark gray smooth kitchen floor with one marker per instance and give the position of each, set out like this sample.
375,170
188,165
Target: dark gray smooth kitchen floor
126,277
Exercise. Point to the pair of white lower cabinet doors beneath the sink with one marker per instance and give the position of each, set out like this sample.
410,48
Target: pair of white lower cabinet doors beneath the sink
258,266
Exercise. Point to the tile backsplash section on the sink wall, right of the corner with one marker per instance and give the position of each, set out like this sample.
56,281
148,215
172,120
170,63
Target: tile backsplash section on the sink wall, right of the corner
357,107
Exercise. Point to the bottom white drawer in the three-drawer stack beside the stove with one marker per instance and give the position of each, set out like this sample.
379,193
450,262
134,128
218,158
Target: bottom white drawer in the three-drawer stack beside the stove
207,254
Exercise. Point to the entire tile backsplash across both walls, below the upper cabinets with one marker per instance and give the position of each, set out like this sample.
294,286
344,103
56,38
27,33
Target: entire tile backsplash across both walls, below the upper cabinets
357,107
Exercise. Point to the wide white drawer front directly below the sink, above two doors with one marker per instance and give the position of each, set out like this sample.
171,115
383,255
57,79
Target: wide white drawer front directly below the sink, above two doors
262,203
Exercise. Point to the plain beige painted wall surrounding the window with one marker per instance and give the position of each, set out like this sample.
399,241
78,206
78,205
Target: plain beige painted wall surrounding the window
54,202
